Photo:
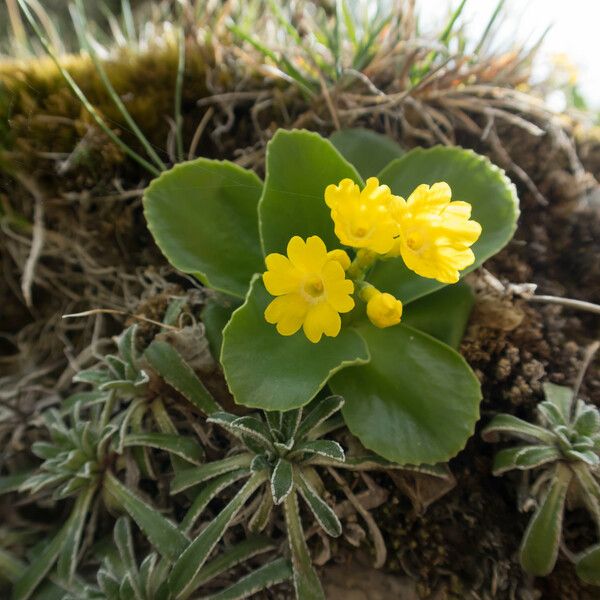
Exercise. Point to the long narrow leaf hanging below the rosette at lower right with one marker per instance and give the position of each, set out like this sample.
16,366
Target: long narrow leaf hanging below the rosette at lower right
541,541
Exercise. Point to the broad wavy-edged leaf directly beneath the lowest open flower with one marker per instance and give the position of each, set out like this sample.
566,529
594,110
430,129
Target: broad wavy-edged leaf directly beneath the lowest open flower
266,370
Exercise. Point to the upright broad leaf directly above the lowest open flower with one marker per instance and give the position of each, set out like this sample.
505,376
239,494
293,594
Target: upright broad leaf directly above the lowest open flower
300,165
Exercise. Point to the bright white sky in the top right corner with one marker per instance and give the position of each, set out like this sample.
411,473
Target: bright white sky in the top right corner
575,31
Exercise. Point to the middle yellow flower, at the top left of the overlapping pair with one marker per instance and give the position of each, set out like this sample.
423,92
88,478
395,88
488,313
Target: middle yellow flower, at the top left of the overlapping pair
363,219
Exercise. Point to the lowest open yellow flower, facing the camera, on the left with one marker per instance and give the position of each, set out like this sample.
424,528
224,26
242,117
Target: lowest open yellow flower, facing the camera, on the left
311,289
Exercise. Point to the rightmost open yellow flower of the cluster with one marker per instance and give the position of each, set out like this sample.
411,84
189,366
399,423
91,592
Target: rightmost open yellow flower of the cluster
435,233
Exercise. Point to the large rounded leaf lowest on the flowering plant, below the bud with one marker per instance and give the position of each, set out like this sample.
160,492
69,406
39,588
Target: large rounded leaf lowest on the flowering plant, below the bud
417,401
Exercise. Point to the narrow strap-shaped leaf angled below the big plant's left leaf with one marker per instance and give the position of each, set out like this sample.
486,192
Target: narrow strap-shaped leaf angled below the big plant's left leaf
169,364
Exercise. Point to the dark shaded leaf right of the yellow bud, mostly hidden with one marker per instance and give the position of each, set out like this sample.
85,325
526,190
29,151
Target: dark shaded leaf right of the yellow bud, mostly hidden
443,315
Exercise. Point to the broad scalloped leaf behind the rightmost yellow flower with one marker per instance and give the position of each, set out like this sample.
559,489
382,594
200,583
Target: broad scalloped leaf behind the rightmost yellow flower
474,179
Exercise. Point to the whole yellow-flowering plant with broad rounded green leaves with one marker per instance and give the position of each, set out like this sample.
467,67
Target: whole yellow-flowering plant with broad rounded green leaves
343,277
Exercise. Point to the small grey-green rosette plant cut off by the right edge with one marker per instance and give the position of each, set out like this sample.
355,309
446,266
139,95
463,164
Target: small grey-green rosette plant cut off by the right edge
564,451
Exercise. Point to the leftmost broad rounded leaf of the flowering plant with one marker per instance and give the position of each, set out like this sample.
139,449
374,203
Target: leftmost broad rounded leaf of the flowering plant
202,215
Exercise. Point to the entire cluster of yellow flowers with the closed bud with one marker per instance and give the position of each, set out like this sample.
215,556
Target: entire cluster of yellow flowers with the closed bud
431,233
